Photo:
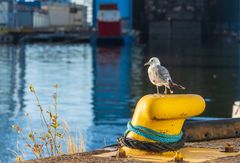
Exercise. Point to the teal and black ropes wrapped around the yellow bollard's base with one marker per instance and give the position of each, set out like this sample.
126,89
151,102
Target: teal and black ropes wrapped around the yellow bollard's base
163,142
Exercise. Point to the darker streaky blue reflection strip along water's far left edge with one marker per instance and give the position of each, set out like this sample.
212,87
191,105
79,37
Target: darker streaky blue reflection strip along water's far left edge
11,91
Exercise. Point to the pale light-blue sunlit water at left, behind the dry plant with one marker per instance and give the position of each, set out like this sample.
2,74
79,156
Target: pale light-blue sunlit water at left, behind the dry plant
43,65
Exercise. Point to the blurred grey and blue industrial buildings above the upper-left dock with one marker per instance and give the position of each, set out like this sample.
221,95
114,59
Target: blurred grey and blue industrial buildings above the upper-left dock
42,14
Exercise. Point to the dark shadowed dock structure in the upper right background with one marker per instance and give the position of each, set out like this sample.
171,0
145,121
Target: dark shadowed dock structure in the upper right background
176,20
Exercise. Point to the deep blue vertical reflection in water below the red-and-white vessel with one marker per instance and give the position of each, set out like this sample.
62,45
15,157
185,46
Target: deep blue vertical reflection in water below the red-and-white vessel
112,67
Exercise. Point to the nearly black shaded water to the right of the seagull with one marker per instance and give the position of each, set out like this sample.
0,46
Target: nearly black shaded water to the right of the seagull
211,69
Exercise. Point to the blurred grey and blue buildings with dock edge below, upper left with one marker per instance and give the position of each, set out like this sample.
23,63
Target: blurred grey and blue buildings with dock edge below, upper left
38,20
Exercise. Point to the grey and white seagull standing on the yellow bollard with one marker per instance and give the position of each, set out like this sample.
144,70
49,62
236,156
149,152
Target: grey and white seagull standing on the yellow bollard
160,76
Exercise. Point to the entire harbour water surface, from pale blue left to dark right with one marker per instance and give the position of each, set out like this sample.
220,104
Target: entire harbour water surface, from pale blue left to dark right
99,87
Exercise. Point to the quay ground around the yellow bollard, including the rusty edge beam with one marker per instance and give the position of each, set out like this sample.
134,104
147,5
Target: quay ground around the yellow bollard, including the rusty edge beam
208,146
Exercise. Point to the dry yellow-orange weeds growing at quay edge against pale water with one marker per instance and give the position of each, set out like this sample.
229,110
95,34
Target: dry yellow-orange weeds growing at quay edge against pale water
47,143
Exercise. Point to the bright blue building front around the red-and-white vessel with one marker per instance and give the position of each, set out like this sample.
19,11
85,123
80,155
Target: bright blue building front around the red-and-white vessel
125,7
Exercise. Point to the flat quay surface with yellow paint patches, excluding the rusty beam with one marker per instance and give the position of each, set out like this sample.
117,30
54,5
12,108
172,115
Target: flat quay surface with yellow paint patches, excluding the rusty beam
207,152
